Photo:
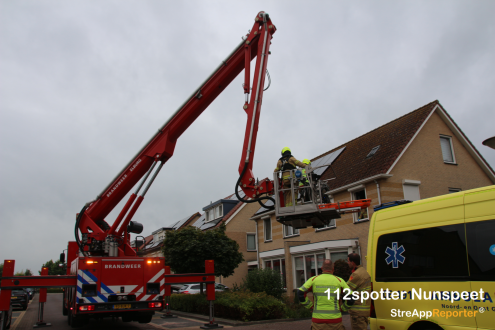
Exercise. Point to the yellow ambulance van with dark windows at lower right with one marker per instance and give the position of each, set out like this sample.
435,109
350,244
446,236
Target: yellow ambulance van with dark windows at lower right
432,263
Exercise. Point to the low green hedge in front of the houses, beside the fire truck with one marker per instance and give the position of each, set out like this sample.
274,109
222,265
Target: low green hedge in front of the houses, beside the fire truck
240,305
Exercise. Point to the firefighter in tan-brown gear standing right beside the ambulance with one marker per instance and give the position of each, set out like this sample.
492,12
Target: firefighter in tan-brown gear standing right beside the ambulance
360,280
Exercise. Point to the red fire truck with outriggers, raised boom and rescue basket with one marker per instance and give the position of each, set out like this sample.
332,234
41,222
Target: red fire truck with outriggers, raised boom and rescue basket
105,275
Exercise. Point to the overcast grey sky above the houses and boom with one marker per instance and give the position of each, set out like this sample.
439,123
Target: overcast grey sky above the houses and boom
84,84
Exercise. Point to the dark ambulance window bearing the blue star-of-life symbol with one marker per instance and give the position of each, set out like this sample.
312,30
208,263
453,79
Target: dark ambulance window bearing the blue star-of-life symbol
437,253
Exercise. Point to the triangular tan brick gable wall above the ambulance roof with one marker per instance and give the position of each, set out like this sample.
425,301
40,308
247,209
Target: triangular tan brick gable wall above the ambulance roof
423,161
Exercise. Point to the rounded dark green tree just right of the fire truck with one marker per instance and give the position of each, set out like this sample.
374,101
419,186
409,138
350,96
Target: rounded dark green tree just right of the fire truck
186,250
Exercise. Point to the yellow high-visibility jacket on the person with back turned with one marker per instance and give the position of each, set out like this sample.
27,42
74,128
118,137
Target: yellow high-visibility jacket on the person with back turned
324,310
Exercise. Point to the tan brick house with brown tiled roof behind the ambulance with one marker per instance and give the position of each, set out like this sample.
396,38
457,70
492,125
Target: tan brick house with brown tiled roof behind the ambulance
419,155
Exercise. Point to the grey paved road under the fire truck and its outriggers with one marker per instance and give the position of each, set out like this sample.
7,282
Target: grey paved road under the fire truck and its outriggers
24,320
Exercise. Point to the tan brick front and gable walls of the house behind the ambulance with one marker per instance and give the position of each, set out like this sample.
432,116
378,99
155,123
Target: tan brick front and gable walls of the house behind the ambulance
422,162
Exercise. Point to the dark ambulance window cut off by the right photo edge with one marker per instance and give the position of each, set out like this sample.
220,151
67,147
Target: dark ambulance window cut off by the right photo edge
481,250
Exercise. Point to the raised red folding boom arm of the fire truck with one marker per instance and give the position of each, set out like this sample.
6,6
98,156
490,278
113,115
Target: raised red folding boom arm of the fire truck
97,235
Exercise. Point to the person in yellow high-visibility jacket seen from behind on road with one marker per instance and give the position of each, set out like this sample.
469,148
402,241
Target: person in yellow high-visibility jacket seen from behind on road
326,311
